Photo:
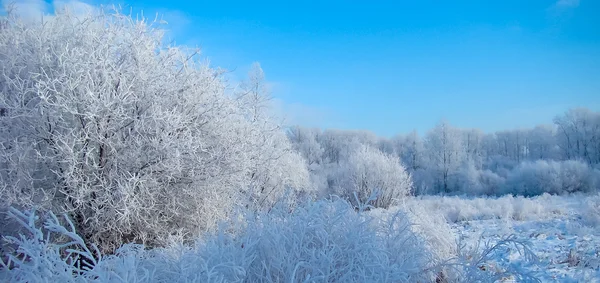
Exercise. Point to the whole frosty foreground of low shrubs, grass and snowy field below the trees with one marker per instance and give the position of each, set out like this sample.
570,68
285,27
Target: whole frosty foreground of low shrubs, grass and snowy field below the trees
507,239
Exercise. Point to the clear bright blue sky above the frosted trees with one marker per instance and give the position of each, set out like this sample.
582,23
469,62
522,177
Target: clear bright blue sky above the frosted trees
391,67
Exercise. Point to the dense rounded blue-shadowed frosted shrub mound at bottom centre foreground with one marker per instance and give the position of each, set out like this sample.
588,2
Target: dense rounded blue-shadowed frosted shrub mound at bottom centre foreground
327,242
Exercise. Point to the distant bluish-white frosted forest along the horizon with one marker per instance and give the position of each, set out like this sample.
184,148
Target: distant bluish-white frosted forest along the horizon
562,157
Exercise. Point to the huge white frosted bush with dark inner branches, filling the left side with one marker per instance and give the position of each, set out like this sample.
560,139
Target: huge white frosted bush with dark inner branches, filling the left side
134,139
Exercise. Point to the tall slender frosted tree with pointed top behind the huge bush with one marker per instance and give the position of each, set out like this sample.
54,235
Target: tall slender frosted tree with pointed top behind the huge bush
275,166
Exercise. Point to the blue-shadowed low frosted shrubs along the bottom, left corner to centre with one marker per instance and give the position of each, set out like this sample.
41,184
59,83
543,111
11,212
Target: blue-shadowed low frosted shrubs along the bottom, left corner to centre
325,241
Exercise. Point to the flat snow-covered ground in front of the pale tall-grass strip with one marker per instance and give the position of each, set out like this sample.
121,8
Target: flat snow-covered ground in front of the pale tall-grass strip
565,251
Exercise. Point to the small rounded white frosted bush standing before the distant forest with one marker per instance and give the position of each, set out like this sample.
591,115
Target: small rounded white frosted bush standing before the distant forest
369,171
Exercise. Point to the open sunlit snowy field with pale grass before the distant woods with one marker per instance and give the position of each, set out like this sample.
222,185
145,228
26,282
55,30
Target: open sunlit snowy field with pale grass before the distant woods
562,233
